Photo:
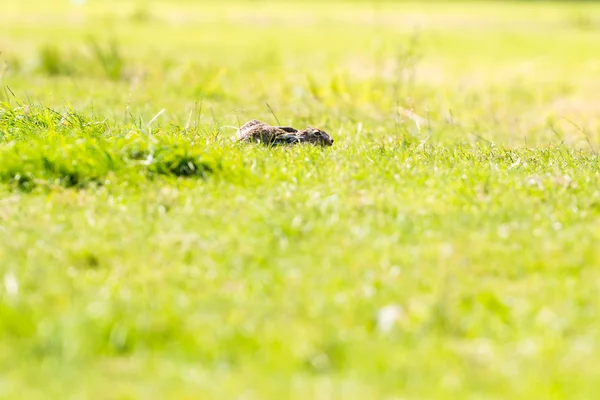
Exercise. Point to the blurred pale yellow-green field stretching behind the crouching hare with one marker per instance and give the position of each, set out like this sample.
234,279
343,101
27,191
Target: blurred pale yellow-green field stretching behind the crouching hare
509,70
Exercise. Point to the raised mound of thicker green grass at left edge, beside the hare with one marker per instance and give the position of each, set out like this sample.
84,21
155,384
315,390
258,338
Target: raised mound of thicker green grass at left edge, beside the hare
45,147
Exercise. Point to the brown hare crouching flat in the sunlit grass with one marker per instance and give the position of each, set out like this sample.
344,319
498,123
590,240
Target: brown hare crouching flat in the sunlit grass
257,131
